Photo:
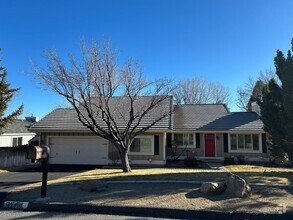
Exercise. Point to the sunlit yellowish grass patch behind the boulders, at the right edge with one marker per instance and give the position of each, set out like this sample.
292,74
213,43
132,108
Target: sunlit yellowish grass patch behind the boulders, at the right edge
263,174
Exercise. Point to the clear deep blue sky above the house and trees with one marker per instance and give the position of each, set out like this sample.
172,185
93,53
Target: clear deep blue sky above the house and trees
224,41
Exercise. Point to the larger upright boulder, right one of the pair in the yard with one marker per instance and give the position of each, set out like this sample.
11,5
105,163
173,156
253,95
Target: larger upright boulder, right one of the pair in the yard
237,186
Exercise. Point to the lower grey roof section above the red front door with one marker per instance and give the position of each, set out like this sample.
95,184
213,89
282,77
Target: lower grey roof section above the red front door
215,118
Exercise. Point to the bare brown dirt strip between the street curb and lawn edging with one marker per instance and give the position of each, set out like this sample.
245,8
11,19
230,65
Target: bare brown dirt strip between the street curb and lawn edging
163,195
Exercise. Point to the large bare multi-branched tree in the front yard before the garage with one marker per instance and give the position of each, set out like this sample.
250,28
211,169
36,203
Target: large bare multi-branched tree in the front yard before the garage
108,98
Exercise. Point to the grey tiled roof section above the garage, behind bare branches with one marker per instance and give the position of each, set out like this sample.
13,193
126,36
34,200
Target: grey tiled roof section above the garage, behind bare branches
62,119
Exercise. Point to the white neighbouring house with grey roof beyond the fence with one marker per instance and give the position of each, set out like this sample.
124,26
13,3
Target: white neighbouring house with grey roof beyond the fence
17,133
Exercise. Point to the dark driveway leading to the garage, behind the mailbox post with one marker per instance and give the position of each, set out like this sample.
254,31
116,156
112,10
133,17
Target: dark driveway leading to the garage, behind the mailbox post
32,174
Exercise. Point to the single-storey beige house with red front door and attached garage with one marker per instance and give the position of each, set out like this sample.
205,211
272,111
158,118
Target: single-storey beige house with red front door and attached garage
207,131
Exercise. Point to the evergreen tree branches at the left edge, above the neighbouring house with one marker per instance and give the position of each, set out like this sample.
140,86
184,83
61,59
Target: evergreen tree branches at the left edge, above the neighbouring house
6,94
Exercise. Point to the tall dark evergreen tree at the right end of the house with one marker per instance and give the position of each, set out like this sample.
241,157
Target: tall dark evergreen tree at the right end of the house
277,107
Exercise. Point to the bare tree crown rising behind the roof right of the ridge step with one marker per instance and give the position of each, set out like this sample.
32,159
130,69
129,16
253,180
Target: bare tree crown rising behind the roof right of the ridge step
199,91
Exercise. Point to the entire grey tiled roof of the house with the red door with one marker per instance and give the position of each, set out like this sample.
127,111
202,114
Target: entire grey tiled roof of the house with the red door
201,117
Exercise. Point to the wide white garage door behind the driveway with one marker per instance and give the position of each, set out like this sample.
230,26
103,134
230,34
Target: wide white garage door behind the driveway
78,150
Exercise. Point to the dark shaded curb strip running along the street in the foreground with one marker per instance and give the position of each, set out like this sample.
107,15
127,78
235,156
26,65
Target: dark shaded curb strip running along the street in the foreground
149,212
